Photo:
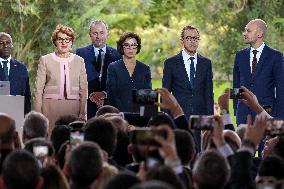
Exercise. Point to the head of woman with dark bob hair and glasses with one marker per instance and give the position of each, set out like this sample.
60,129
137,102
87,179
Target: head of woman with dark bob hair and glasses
129,44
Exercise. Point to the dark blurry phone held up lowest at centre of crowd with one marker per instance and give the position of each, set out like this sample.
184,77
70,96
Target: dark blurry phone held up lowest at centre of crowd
145,136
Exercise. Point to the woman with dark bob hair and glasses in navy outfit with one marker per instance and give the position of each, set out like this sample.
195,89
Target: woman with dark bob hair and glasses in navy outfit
127,74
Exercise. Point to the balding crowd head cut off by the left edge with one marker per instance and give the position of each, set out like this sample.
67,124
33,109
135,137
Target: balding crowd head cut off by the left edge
7,128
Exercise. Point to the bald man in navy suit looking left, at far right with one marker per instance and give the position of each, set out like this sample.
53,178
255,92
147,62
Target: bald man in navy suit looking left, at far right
260,69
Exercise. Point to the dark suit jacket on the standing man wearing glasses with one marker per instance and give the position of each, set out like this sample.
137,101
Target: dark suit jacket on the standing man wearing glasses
193,100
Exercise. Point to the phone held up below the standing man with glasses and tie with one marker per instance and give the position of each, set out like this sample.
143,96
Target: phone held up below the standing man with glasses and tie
201,122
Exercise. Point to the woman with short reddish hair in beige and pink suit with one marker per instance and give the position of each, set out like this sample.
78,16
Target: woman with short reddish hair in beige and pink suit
61,82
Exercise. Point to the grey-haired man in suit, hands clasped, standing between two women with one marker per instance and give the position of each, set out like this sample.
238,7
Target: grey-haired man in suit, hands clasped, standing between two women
97,57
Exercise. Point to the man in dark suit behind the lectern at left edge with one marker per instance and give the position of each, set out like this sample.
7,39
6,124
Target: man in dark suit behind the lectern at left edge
14,71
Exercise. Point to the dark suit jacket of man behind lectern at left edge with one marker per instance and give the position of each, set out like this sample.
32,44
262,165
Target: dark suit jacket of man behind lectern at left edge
19,82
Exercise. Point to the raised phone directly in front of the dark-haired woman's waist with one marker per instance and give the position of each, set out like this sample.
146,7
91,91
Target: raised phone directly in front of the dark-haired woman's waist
145,96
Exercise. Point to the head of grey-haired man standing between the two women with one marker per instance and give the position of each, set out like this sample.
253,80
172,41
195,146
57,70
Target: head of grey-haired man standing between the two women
98,31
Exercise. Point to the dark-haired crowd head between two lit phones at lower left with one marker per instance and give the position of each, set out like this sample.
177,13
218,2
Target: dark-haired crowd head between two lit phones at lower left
59,135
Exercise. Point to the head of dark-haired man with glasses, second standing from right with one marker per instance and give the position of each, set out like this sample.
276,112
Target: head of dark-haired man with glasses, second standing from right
190,39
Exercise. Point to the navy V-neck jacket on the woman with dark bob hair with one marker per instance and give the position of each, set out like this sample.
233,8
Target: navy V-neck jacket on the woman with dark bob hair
120,84
